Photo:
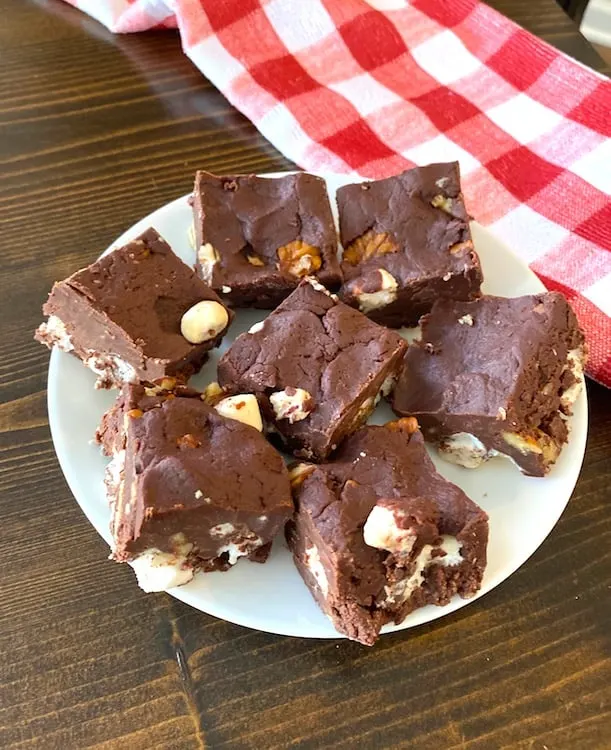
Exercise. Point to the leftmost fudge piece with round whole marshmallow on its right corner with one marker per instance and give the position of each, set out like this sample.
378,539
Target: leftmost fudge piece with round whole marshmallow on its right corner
137,314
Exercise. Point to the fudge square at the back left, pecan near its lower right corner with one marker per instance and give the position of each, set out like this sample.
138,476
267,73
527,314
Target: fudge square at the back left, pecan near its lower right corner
256,237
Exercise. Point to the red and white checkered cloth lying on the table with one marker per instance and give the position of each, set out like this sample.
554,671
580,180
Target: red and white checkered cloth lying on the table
341,86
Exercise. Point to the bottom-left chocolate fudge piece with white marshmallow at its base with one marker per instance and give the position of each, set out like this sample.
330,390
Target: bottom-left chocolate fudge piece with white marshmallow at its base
191,486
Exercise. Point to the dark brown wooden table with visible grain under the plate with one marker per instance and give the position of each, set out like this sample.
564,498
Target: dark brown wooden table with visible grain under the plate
95,132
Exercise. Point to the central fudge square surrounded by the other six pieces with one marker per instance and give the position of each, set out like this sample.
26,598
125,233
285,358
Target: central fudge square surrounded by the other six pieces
317,366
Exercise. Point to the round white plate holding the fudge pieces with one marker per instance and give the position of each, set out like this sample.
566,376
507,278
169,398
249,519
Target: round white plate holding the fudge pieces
272,597
